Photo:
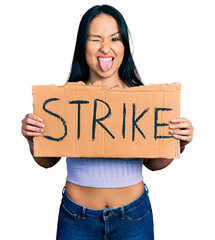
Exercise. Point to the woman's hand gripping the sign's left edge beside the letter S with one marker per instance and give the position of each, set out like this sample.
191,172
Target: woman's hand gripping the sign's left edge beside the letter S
32,126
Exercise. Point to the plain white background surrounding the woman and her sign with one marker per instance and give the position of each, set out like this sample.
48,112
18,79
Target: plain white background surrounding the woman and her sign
173,42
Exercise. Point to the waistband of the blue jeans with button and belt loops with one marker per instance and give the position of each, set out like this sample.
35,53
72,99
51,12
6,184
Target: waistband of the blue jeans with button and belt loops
84,211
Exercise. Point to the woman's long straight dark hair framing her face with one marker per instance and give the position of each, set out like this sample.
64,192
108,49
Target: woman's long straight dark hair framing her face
80,70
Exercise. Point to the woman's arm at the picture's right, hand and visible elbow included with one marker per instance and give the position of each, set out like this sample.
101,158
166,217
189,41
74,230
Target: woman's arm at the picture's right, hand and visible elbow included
181,129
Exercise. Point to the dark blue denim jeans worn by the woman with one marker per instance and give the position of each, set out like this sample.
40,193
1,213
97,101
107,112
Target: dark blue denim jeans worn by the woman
133,221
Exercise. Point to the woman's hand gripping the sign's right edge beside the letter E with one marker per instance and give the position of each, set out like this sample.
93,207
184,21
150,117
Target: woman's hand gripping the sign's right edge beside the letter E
182,129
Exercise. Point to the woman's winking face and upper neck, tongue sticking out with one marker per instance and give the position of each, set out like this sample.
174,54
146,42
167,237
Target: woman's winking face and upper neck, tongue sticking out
104,47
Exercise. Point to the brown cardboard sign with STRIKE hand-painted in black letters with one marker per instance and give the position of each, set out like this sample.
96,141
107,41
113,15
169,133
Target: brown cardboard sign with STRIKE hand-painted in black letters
133,126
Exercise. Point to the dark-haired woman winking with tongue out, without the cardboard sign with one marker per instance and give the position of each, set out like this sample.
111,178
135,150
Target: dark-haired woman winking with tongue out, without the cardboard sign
105,198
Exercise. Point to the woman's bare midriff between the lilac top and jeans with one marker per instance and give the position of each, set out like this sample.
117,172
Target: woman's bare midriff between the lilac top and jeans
100,198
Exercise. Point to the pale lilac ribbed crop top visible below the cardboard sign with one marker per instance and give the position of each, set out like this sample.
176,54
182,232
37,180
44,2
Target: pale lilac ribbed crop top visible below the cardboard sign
104,172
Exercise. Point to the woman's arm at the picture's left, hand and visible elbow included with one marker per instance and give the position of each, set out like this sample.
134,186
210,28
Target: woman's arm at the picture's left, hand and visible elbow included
32,126
